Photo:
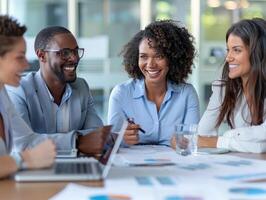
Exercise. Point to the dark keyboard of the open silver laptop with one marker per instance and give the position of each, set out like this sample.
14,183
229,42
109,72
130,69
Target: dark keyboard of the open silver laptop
75,168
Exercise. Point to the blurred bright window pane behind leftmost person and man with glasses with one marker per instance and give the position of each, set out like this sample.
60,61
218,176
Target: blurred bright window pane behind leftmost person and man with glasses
36,15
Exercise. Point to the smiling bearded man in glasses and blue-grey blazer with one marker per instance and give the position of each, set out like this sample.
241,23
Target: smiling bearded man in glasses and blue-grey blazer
54,101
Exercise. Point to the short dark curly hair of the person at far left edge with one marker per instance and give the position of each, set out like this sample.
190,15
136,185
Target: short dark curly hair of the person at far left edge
10,32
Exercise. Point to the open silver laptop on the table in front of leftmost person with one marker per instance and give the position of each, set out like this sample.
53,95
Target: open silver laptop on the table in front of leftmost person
78,169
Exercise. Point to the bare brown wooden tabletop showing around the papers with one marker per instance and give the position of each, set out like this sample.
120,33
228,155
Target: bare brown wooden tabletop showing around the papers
11,190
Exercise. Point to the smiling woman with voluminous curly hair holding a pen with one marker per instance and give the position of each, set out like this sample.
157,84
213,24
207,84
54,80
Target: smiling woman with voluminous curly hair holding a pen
159,60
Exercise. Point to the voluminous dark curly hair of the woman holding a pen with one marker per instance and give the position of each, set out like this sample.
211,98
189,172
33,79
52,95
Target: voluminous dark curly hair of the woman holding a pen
172,41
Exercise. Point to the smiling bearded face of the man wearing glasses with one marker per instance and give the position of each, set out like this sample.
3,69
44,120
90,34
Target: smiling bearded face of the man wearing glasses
58,68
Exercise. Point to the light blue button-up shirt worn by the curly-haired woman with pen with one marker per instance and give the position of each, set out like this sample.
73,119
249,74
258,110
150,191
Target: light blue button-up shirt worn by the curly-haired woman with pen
129,100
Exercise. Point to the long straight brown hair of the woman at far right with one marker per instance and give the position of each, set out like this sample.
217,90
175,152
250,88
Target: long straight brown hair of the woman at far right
253,33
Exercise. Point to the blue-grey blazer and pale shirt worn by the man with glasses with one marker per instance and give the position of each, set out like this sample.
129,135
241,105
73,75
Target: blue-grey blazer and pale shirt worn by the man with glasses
36,106
